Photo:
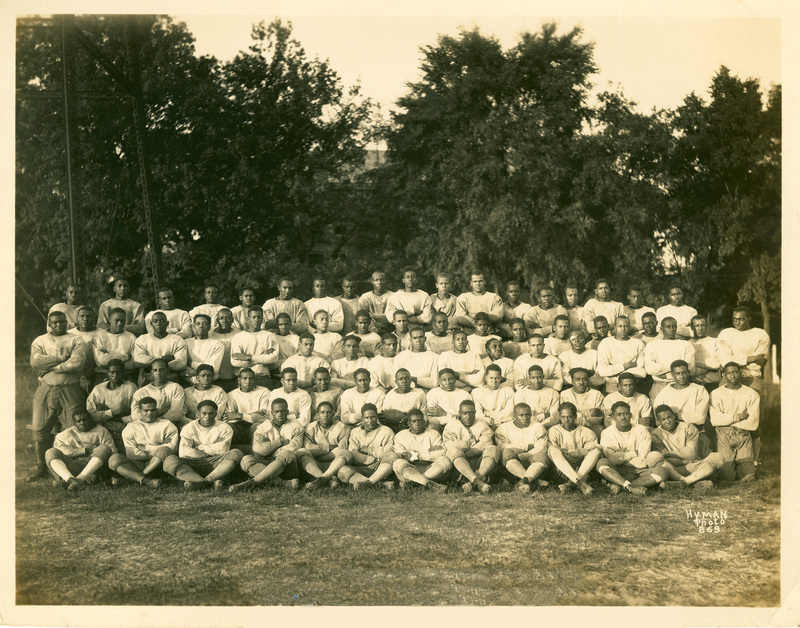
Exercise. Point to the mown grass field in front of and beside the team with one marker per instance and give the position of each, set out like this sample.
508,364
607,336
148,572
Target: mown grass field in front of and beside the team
135,546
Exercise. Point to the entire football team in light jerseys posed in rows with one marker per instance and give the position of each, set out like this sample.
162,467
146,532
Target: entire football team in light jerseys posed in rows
457,378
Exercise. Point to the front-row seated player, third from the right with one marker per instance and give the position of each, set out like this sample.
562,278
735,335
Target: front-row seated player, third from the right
573,450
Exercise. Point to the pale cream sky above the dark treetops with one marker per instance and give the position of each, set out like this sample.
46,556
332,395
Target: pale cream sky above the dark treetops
657,60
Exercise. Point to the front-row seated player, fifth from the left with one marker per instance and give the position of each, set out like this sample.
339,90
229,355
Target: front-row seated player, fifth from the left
322,438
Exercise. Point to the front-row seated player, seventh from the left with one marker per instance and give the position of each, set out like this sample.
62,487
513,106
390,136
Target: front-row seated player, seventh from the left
421,457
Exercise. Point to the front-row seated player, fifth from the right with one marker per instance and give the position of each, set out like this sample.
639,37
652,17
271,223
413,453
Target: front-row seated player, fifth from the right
469,446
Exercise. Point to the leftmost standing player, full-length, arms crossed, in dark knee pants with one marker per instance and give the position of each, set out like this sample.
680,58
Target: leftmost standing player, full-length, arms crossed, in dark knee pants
57,358
